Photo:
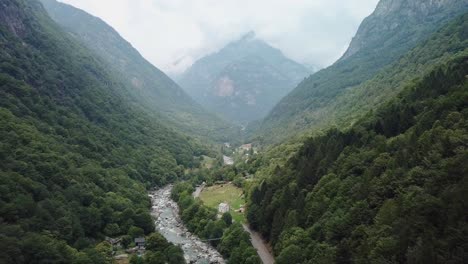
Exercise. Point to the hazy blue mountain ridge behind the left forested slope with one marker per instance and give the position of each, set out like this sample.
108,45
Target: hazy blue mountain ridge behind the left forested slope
147,85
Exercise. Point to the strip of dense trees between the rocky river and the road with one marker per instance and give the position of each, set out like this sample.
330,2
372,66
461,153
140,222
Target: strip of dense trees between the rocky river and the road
234,244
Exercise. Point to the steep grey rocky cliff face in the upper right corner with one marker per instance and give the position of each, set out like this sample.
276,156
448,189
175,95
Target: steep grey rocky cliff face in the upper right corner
399,18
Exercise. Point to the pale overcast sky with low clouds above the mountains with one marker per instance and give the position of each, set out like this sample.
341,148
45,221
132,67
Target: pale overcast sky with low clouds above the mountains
172,34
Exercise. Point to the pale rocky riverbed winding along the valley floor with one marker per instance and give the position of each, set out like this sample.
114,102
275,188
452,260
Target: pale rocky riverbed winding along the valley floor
169,224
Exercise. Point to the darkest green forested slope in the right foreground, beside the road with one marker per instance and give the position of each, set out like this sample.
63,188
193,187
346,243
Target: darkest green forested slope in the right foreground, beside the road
391,189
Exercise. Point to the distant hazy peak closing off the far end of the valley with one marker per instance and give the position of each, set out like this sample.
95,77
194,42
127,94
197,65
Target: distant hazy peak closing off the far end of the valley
243,80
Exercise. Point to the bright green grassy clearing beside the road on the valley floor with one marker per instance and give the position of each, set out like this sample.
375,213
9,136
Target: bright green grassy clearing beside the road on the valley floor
214,195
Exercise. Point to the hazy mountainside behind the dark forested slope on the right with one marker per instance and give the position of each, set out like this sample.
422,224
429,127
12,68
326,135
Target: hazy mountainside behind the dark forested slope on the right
330,96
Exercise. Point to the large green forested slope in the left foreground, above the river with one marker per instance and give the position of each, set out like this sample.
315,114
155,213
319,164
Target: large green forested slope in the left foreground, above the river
75,154
